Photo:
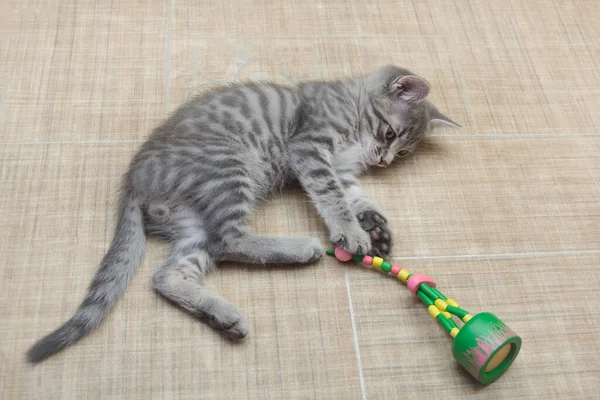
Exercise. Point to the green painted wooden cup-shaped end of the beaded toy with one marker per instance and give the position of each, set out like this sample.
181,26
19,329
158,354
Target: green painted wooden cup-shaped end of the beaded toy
486,340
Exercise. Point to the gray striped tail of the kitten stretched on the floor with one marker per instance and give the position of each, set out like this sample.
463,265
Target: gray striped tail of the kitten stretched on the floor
118,265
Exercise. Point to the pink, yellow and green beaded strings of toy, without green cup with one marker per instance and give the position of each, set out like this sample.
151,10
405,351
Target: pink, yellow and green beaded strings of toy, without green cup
439,306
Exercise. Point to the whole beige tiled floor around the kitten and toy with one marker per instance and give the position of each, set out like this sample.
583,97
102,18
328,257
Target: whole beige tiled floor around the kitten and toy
504,212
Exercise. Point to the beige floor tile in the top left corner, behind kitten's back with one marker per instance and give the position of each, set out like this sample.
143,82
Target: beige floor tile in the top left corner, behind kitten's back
98,73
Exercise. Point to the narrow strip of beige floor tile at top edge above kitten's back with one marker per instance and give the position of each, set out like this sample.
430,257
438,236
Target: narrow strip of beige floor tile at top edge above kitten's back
300,18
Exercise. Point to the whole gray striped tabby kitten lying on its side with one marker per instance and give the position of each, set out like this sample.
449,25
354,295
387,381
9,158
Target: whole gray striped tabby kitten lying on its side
197,178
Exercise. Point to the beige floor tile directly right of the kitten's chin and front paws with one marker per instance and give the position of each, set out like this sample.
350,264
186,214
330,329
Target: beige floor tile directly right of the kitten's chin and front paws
464,194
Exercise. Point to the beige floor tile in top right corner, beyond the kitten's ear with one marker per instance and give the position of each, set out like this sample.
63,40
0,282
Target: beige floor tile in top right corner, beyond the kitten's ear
527,68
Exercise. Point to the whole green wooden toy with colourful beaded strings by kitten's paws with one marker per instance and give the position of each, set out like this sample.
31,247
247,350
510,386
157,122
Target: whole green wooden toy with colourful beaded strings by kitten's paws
484,345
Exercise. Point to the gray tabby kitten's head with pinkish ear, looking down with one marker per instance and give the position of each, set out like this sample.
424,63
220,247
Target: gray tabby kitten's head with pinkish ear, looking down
398,114
